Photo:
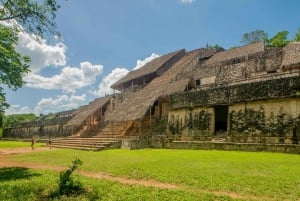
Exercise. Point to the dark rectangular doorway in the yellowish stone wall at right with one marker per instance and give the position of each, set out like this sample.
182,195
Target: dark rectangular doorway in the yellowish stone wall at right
221,115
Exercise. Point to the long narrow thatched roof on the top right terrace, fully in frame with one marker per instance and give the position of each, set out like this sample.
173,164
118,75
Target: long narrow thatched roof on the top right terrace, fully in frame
236,52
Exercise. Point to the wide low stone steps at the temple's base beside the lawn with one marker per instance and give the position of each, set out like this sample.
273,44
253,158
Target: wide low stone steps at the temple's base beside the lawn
89,144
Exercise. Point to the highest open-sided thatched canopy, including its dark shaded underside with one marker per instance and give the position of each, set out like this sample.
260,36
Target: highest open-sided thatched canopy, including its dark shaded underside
149,70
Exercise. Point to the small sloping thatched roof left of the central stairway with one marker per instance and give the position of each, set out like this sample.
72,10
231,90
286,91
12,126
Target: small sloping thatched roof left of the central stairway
82,113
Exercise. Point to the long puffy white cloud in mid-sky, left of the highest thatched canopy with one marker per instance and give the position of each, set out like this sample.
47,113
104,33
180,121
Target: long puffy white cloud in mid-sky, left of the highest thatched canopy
70,78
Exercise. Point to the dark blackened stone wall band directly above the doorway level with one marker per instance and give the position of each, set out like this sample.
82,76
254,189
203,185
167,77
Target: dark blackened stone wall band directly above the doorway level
247,92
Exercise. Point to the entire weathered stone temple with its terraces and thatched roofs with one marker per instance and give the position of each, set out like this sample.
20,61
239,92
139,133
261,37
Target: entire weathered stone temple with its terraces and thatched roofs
244,98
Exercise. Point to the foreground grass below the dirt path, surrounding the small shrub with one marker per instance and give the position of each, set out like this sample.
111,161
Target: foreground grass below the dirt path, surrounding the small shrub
25,184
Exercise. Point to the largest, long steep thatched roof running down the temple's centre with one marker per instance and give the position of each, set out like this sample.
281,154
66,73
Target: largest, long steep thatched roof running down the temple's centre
136,104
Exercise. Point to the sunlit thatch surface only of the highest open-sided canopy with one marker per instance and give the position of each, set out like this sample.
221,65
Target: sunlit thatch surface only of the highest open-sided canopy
149,68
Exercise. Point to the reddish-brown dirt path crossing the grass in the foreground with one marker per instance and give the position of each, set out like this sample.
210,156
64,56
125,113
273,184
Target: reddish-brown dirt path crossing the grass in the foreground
100,175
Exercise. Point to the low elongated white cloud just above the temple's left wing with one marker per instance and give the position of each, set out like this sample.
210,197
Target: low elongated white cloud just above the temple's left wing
58,104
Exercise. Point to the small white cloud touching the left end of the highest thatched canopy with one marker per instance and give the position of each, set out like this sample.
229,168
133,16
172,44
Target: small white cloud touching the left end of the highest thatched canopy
110,79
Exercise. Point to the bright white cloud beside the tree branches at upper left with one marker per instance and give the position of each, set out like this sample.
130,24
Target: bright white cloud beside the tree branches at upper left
41,54
